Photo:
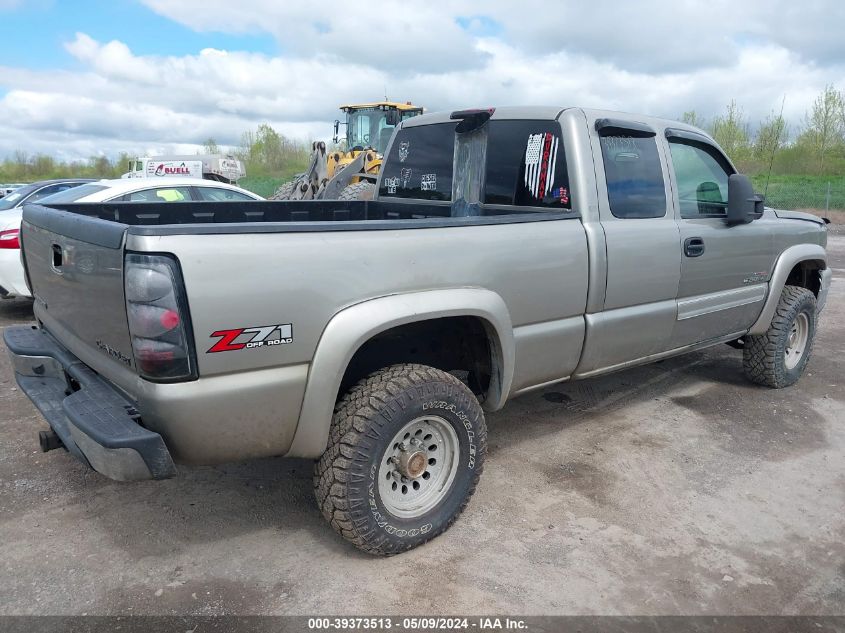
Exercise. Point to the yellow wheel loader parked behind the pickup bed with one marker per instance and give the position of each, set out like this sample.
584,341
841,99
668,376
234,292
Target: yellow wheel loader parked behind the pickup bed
350,172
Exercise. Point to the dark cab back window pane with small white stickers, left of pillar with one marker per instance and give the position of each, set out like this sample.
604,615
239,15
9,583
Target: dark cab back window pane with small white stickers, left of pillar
419,164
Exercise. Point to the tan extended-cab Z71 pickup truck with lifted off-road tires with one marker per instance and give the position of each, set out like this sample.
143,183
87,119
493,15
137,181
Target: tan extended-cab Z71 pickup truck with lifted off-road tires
506,250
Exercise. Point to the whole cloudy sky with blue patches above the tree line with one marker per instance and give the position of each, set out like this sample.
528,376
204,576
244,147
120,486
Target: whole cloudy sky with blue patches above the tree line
102,76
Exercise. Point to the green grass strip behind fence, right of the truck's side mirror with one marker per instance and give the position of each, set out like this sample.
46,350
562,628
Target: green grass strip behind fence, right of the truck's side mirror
802,192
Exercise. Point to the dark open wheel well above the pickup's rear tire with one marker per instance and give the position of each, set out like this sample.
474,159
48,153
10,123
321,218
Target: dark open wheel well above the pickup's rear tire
459,345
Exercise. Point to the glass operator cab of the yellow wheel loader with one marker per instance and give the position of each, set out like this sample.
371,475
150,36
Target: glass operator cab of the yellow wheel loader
371,125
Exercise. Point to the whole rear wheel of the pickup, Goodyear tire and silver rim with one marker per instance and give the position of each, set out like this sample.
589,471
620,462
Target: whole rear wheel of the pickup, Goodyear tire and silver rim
405,452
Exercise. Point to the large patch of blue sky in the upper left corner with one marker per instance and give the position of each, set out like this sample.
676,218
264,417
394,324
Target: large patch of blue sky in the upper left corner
34,32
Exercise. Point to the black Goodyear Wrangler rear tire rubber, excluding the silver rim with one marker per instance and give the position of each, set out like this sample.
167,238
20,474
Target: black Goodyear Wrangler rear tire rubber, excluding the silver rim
365,422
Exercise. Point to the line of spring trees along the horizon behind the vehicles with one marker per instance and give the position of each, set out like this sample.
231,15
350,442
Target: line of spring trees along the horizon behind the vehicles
813,146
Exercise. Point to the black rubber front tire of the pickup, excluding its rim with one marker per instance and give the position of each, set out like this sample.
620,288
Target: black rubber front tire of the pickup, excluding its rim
763,356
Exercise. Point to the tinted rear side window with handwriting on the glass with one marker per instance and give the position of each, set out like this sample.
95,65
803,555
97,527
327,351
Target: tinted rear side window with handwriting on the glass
635,186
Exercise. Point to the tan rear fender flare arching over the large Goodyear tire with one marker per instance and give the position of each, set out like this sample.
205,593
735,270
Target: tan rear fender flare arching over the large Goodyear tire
353,326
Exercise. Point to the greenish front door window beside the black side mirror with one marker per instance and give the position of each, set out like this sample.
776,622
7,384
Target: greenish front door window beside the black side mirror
701,174
